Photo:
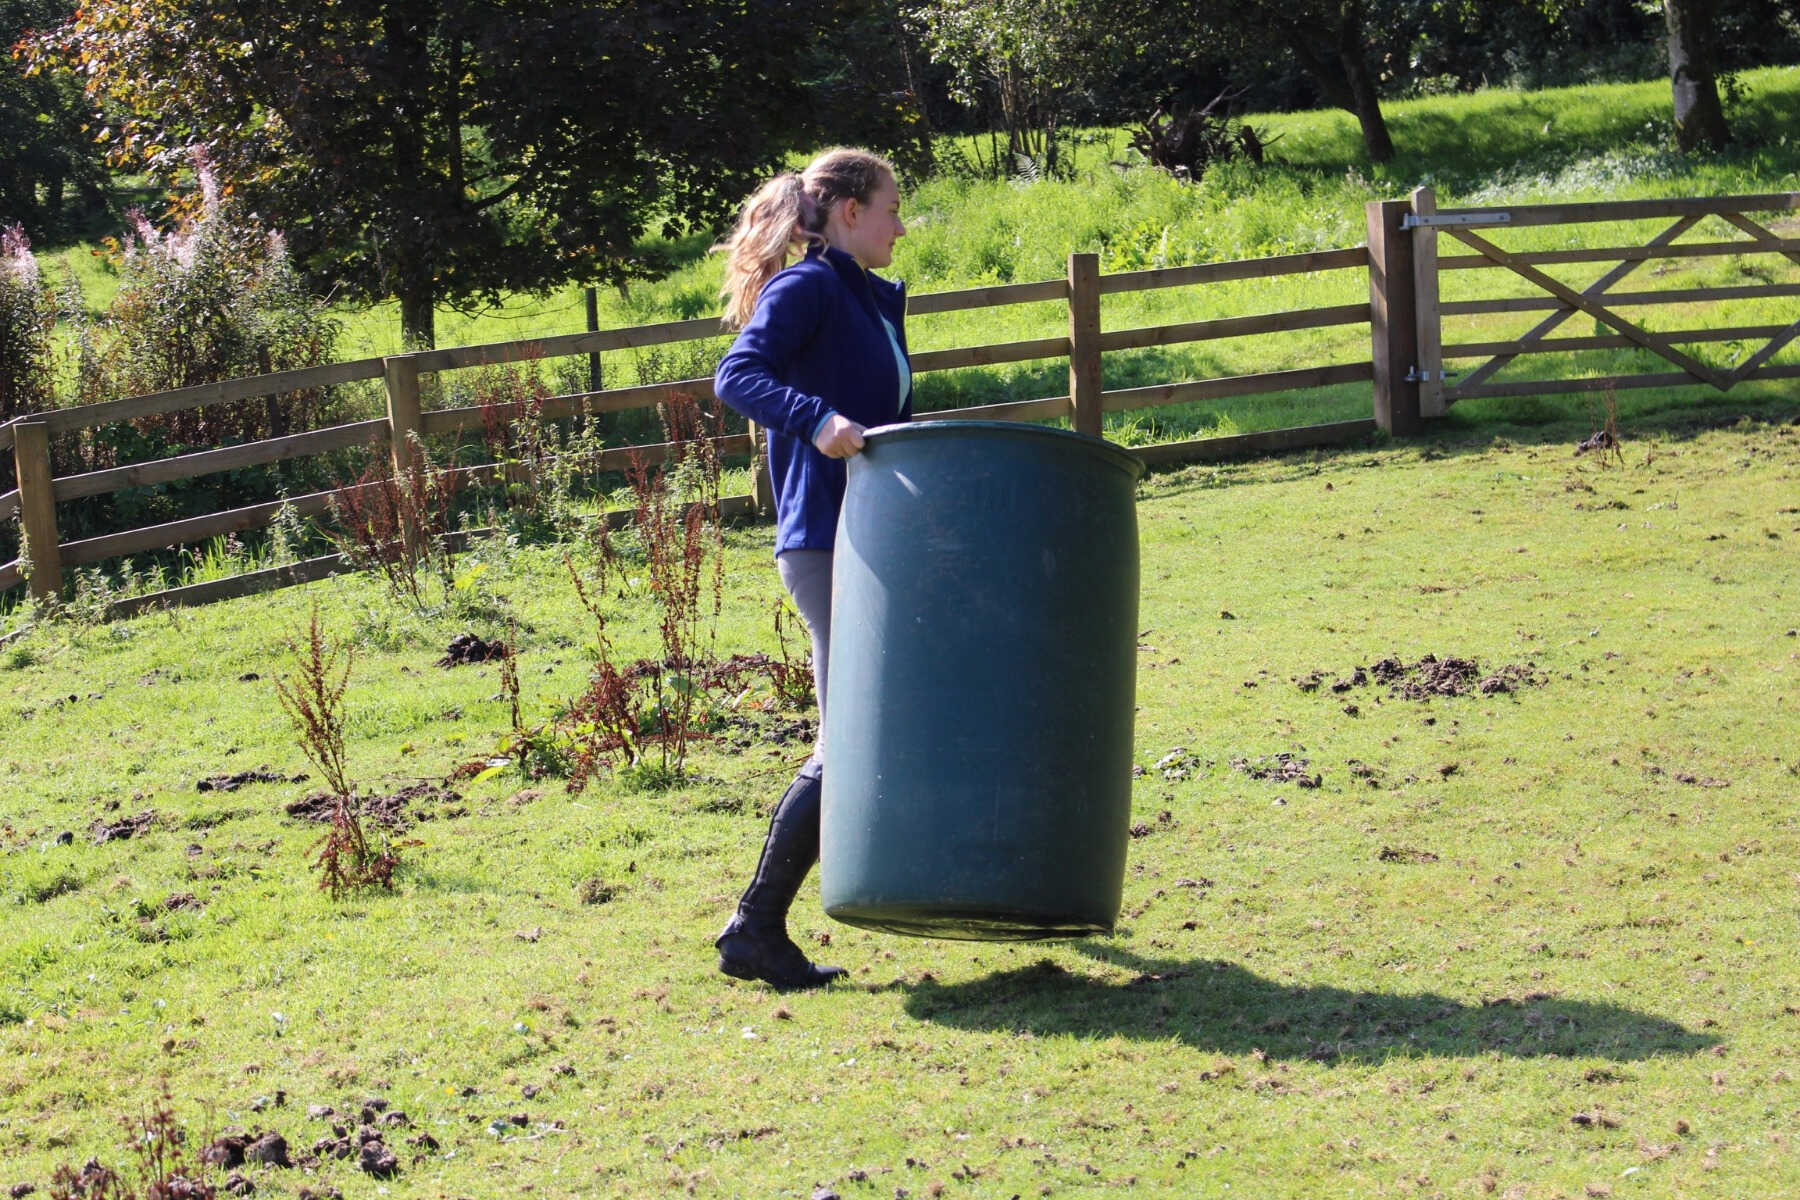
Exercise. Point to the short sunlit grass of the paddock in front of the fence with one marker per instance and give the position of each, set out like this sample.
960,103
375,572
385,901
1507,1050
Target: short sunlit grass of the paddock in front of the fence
1534,944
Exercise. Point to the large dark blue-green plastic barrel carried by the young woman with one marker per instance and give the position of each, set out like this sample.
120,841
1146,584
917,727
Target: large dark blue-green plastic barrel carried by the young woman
984,676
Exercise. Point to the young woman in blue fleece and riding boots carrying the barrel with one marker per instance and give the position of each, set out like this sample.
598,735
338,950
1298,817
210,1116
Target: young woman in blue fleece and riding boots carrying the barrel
820,357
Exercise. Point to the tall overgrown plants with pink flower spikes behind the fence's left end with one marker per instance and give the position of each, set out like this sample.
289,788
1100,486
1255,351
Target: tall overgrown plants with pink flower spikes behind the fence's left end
211,298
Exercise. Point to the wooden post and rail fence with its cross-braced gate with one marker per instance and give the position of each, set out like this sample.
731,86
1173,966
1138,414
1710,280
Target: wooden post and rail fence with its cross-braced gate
1408,384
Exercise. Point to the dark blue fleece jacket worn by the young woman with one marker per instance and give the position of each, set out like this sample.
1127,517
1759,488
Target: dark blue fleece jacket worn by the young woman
816,346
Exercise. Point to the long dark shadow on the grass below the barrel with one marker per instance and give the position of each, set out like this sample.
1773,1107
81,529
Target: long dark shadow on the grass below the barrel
1227,1008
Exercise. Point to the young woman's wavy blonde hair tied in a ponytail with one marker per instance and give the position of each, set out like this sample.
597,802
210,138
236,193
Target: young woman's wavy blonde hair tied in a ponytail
787,215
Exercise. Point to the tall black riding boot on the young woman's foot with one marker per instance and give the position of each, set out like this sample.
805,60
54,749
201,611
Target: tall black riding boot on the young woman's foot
755,944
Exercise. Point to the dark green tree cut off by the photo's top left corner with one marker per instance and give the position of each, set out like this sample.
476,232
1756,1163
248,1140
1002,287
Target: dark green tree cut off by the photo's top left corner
42,127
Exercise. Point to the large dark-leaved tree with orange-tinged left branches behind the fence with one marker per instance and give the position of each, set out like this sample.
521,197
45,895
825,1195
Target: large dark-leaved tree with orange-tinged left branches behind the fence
451,150
